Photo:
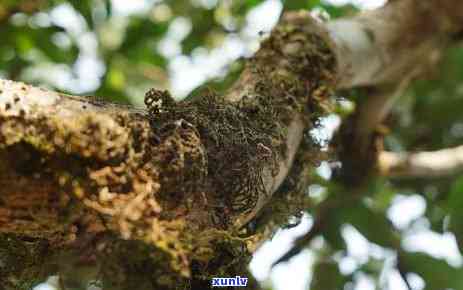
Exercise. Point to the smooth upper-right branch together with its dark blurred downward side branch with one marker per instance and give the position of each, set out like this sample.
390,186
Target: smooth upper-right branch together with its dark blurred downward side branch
384,49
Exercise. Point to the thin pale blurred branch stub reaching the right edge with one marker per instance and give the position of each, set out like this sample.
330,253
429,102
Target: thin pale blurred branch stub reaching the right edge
422,164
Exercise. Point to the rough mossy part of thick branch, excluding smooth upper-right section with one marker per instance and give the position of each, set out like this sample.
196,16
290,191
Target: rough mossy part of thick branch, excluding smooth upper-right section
176,183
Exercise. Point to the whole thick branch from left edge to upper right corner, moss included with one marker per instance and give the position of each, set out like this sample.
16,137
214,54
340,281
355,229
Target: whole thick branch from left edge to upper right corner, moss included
163,198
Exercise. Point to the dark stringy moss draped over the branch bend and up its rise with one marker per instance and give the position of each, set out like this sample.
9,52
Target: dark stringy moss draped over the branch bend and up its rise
292,74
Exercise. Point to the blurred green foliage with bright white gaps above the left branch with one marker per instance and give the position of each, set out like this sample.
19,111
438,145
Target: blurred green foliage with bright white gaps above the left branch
129,46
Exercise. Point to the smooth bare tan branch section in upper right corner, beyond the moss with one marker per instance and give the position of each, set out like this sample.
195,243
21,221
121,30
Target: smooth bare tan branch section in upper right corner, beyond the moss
383,45
